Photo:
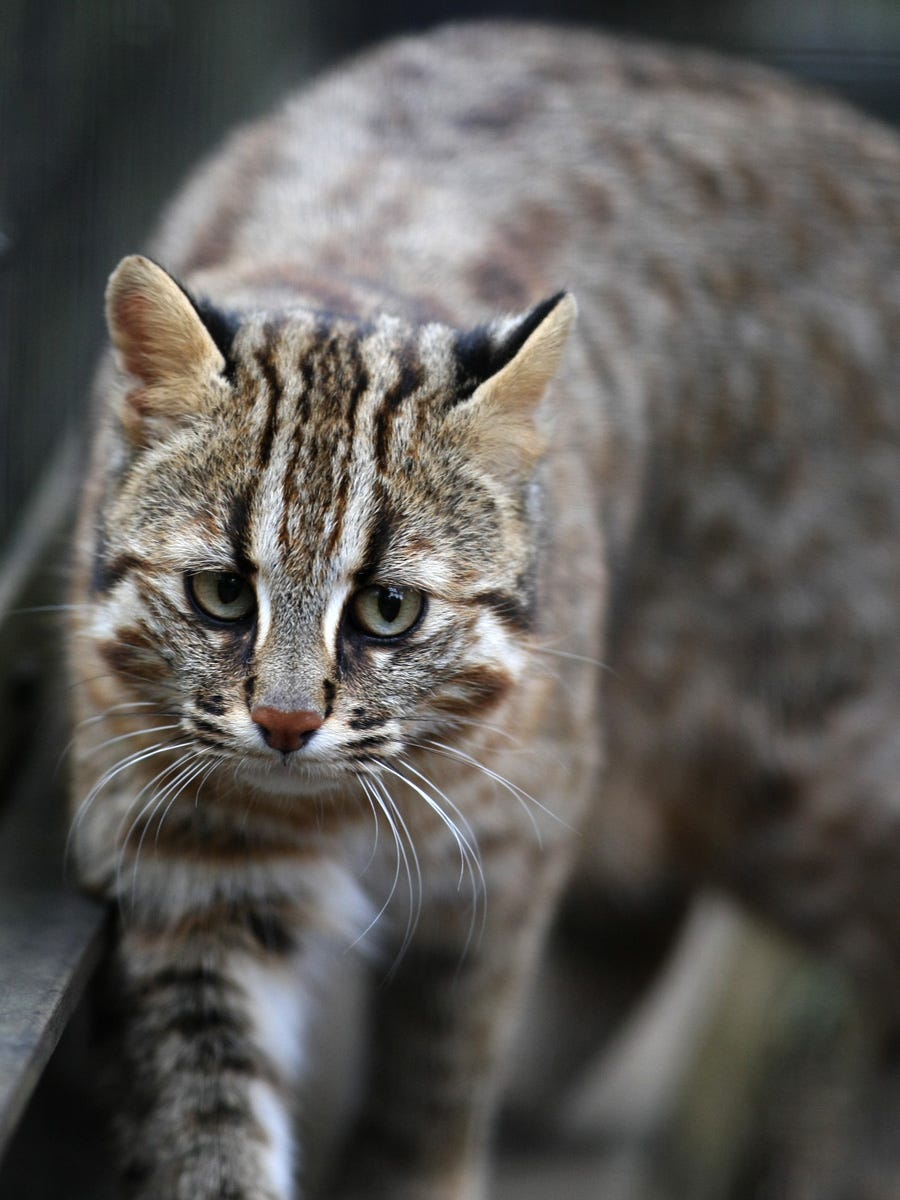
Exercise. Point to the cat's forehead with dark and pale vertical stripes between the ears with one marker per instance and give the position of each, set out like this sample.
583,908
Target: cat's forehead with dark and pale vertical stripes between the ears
328,401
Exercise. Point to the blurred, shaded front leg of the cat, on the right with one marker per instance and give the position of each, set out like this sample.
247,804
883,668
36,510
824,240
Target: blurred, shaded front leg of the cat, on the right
442,1027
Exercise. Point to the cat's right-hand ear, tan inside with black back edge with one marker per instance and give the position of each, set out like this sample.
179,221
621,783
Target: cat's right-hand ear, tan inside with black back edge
512,364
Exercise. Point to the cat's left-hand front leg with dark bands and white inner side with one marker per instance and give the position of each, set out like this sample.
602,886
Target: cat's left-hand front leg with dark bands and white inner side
209,1049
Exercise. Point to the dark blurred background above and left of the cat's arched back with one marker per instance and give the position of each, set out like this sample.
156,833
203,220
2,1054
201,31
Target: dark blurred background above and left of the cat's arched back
106,104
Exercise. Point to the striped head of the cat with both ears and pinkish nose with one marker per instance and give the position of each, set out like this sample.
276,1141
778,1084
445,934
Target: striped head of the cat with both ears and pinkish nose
317,547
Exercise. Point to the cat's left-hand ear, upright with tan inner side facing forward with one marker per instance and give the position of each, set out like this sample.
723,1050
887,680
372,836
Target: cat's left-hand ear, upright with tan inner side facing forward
163,344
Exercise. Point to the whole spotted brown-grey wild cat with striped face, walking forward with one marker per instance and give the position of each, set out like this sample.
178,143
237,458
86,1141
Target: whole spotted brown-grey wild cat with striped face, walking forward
400,590
